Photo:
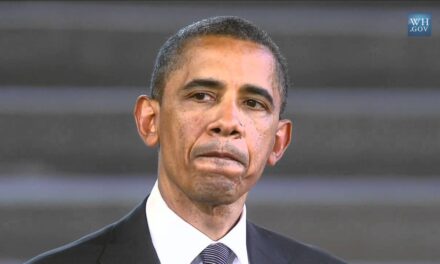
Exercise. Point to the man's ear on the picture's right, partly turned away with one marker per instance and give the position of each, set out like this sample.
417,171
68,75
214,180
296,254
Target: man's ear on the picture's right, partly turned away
283,137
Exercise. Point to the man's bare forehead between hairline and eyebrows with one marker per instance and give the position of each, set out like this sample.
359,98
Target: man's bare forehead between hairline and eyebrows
251,61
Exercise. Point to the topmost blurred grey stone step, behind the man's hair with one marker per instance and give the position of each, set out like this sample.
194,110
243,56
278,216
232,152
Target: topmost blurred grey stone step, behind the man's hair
348,45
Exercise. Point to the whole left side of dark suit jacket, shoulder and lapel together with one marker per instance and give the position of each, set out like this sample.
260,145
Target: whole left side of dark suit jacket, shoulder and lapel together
125,241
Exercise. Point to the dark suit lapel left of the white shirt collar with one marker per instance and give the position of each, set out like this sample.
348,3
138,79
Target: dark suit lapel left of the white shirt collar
130,240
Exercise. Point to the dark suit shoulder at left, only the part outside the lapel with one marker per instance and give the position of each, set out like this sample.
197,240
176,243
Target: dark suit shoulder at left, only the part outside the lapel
84,250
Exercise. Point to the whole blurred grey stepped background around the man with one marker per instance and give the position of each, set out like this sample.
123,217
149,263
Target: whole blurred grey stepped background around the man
361,178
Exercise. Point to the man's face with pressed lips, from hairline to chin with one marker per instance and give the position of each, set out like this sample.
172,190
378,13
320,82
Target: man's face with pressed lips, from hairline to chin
218,121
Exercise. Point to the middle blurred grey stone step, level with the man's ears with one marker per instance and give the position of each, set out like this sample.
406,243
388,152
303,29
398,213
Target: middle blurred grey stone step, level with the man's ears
336,132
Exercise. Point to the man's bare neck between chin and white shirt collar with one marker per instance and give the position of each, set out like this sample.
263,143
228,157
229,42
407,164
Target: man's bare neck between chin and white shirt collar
214,220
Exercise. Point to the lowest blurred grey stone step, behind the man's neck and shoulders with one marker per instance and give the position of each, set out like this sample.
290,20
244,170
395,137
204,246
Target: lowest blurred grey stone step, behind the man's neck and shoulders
365,221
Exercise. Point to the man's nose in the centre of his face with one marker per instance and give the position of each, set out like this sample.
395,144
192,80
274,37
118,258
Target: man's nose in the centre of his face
227,121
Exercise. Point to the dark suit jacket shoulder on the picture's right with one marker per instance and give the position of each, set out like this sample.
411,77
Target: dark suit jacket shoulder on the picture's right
289,250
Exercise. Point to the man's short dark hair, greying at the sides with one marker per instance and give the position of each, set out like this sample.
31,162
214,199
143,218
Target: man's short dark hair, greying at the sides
169,54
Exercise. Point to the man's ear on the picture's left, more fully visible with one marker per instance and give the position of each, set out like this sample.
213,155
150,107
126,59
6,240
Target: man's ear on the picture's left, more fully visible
146,114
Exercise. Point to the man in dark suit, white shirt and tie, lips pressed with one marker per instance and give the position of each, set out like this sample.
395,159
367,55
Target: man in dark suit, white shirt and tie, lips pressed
218,91
